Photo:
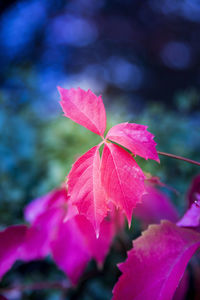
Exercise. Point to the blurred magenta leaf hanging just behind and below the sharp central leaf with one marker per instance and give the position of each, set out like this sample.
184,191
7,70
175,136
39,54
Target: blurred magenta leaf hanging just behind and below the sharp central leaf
71,242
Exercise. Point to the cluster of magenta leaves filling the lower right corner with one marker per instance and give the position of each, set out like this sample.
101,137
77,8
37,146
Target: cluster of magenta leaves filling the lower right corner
156,265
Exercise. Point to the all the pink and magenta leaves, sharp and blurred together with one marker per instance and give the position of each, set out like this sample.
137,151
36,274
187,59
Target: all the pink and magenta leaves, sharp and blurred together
77,224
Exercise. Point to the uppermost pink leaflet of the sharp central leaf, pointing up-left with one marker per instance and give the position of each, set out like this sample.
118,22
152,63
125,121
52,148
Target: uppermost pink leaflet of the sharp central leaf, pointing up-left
84,108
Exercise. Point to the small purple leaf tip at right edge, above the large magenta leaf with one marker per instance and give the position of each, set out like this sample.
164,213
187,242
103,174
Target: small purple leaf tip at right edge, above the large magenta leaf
192,216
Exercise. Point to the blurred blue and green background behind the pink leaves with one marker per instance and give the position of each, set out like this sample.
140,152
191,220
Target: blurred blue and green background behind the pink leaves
143,57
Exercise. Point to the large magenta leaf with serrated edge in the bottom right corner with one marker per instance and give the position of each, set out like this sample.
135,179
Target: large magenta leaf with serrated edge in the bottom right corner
156,263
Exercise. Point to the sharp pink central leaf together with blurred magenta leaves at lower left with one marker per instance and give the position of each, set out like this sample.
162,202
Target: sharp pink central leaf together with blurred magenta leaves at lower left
78,224
